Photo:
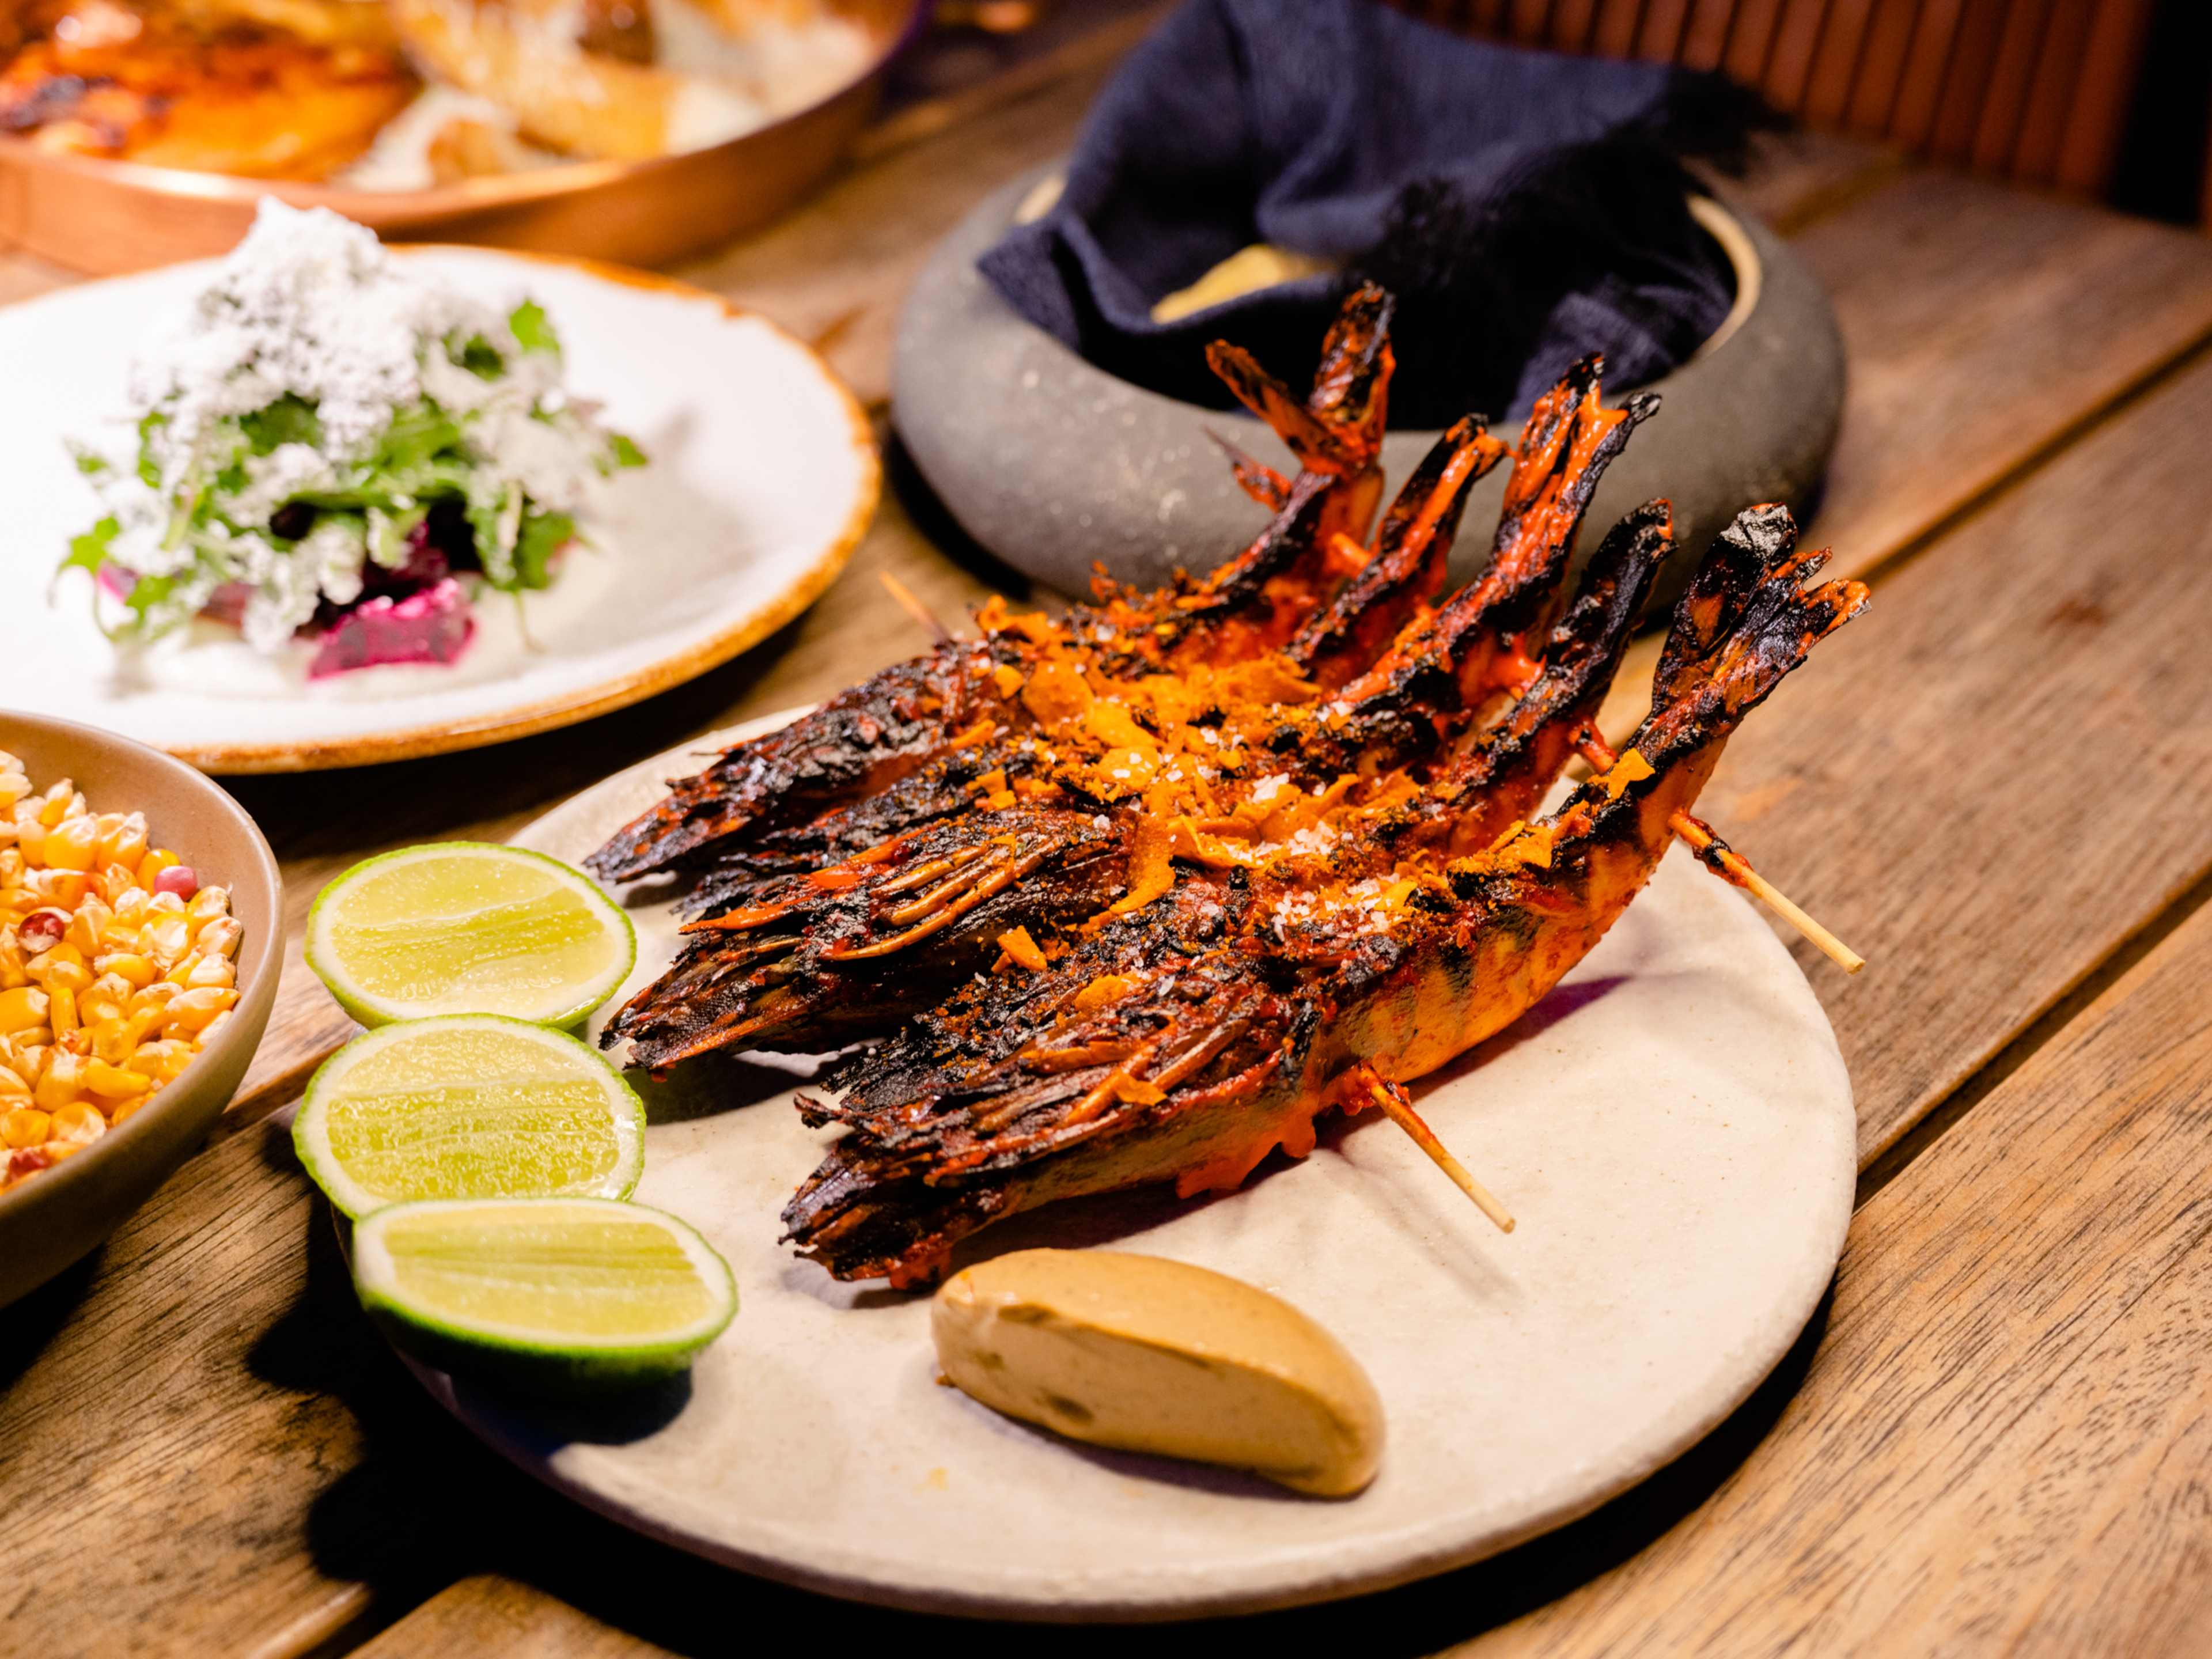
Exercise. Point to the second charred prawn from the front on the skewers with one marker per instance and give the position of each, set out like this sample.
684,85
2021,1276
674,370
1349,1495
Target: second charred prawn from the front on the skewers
808,961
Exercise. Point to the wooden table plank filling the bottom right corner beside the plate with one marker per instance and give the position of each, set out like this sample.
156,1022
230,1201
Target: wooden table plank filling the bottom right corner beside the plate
2003,1439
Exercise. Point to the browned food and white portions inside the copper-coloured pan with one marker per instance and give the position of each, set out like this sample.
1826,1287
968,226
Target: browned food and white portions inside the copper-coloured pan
328,90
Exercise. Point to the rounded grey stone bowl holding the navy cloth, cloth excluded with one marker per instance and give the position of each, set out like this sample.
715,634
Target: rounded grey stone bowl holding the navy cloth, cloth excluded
1058,466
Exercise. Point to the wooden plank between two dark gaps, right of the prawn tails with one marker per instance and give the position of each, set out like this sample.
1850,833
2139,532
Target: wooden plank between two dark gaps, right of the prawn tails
1999,775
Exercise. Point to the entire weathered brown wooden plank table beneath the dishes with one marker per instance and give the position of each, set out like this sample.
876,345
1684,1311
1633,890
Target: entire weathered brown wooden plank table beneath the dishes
1999,1430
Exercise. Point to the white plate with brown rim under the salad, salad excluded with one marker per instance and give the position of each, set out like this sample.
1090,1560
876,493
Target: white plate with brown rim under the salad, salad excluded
764,477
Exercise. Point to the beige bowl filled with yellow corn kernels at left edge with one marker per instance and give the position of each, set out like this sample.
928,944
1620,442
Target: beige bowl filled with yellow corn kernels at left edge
140,932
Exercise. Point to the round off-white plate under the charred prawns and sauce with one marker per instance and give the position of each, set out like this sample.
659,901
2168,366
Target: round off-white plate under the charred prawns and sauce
1673,1131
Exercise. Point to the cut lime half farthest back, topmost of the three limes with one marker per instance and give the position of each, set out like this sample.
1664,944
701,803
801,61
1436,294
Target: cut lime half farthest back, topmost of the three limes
468,928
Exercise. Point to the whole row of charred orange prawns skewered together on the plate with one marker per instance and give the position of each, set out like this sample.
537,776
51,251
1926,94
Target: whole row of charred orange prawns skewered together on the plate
1136,895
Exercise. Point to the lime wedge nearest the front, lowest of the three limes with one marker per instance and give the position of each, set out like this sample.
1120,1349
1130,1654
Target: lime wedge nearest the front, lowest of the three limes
543,1295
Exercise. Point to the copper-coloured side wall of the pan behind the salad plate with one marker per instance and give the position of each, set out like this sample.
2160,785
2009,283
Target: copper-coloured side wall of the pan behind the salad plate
109,218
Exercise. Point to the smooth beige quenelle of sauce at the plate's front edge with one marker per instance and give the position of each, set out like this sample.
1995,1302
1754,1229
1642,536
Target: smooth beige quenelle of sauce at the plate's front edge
1151,1355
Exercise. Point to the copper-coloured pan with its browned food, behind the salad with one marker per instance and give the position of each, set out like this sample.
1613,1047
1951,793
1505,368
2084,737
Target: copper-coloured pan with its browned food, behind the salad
138,134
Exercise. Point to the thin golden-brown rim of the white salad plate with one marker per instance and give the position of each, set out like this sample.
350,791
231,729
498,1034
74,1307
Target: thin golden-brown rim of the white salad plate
618,691
